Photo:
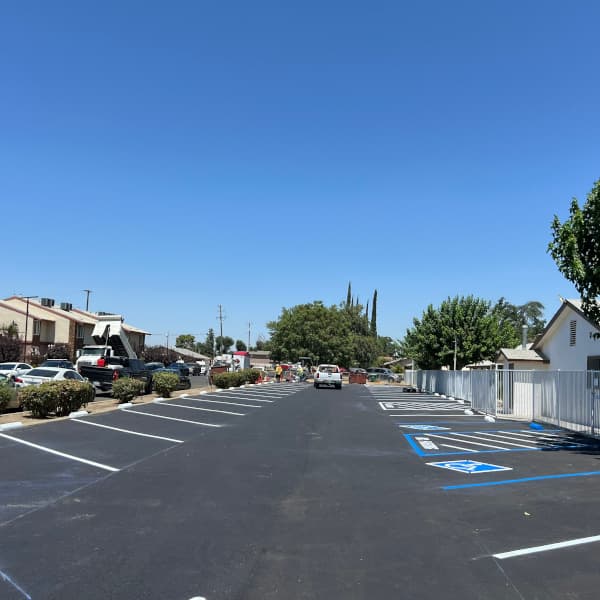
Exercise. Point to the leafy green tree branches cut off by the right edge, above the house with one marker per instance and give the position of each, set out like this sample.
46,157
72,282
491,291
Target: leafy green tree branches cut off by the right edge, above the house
575,248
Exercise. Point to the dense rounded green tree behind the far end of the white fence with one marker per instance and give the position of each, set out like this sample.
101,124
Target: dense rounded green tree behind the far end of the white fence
466,320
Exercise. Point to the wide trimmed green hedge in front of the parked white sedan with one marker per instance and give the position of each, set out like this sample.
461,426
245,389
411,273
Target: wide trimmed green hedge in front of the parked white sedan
55,397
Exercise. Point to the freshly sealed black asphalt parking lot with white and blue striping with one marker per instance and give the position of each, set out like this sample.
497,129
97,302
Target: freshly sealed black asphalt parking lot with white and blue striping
363,493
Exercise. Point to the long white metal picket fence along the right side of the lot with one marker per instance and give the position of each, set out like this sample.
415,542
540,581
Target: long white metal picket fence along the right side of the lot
569,399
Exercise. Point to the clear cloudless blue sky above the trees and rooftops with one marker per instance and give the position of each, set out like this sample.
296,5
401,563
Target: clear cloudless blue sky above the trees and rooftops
174,156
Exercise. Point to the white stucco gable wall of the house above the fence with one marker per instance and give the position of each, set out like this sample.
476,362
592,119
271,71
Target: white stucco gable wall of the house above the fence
556,347
